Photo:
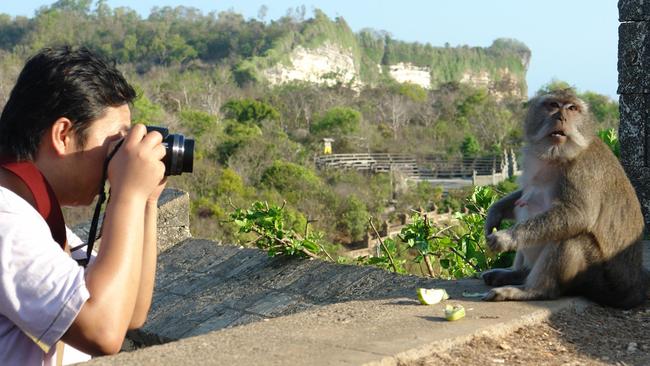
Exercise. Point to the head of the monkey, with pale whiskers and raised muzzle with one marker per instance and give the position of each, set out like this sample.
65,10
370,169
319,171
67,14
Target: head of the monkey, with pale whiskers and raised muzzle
558,126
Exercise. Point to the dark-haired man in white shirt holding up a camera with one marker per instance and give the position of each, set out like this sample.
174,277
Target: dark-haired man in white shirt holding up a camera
67,109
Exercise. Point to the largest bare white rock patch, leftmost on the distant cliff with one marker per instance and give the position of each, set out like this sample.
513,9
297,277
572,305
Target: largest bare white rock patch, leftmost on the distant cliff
327,64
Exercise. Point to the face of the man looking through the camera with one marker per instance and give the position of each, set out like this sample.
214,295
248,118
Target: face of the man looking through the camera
88,161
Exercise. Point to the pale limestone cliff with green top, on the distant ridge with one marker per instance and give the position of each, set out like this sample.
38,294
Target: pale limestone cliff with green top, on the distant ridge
327,52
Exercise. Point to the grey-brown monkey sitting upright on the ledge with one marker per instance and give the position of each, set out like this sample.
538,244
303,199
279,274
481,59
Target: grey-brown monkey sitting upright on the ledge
578,222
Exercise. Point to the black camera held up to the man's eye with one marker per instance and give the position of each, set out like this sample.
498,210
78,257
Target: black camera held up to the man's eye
179,155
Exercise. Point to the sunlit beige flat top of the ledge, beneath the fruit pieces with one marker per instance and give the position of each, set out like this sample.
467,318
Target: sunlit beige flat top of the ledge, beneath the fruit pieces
374,332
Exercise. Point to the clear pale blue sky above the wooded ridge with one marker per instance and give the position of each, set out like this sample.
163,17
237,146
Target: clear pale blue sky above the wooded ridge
571,40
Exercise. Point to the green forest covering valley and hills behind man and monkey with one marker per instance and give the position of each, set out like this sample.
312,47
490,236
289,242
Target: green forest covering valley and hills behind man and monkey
203,75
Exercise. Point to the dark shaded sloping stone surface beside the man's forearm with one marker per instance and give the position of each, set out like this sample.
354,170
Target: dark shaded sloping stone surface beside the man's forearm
203,287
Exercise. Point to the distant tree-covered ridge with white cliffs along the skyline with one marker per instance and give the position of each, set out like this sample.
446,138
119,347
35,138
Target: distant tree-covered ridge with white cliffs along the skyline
319,49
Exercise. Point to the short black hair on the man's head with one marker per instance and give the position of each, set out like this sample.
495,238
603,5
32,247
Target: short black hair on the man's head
59,82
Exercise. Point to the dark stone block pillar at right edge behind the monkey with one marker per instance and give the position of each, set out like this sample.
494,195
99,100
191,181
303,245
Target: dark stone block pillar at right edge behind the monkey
634,90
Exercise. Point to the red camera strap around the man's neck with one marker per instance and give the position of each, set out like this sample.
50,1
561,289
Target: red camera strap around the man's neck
46,203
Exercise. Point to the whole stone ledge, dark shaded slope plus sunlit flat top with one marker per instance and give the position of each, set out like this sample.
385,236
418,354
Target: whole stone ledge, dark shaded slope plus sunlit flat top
222,305
